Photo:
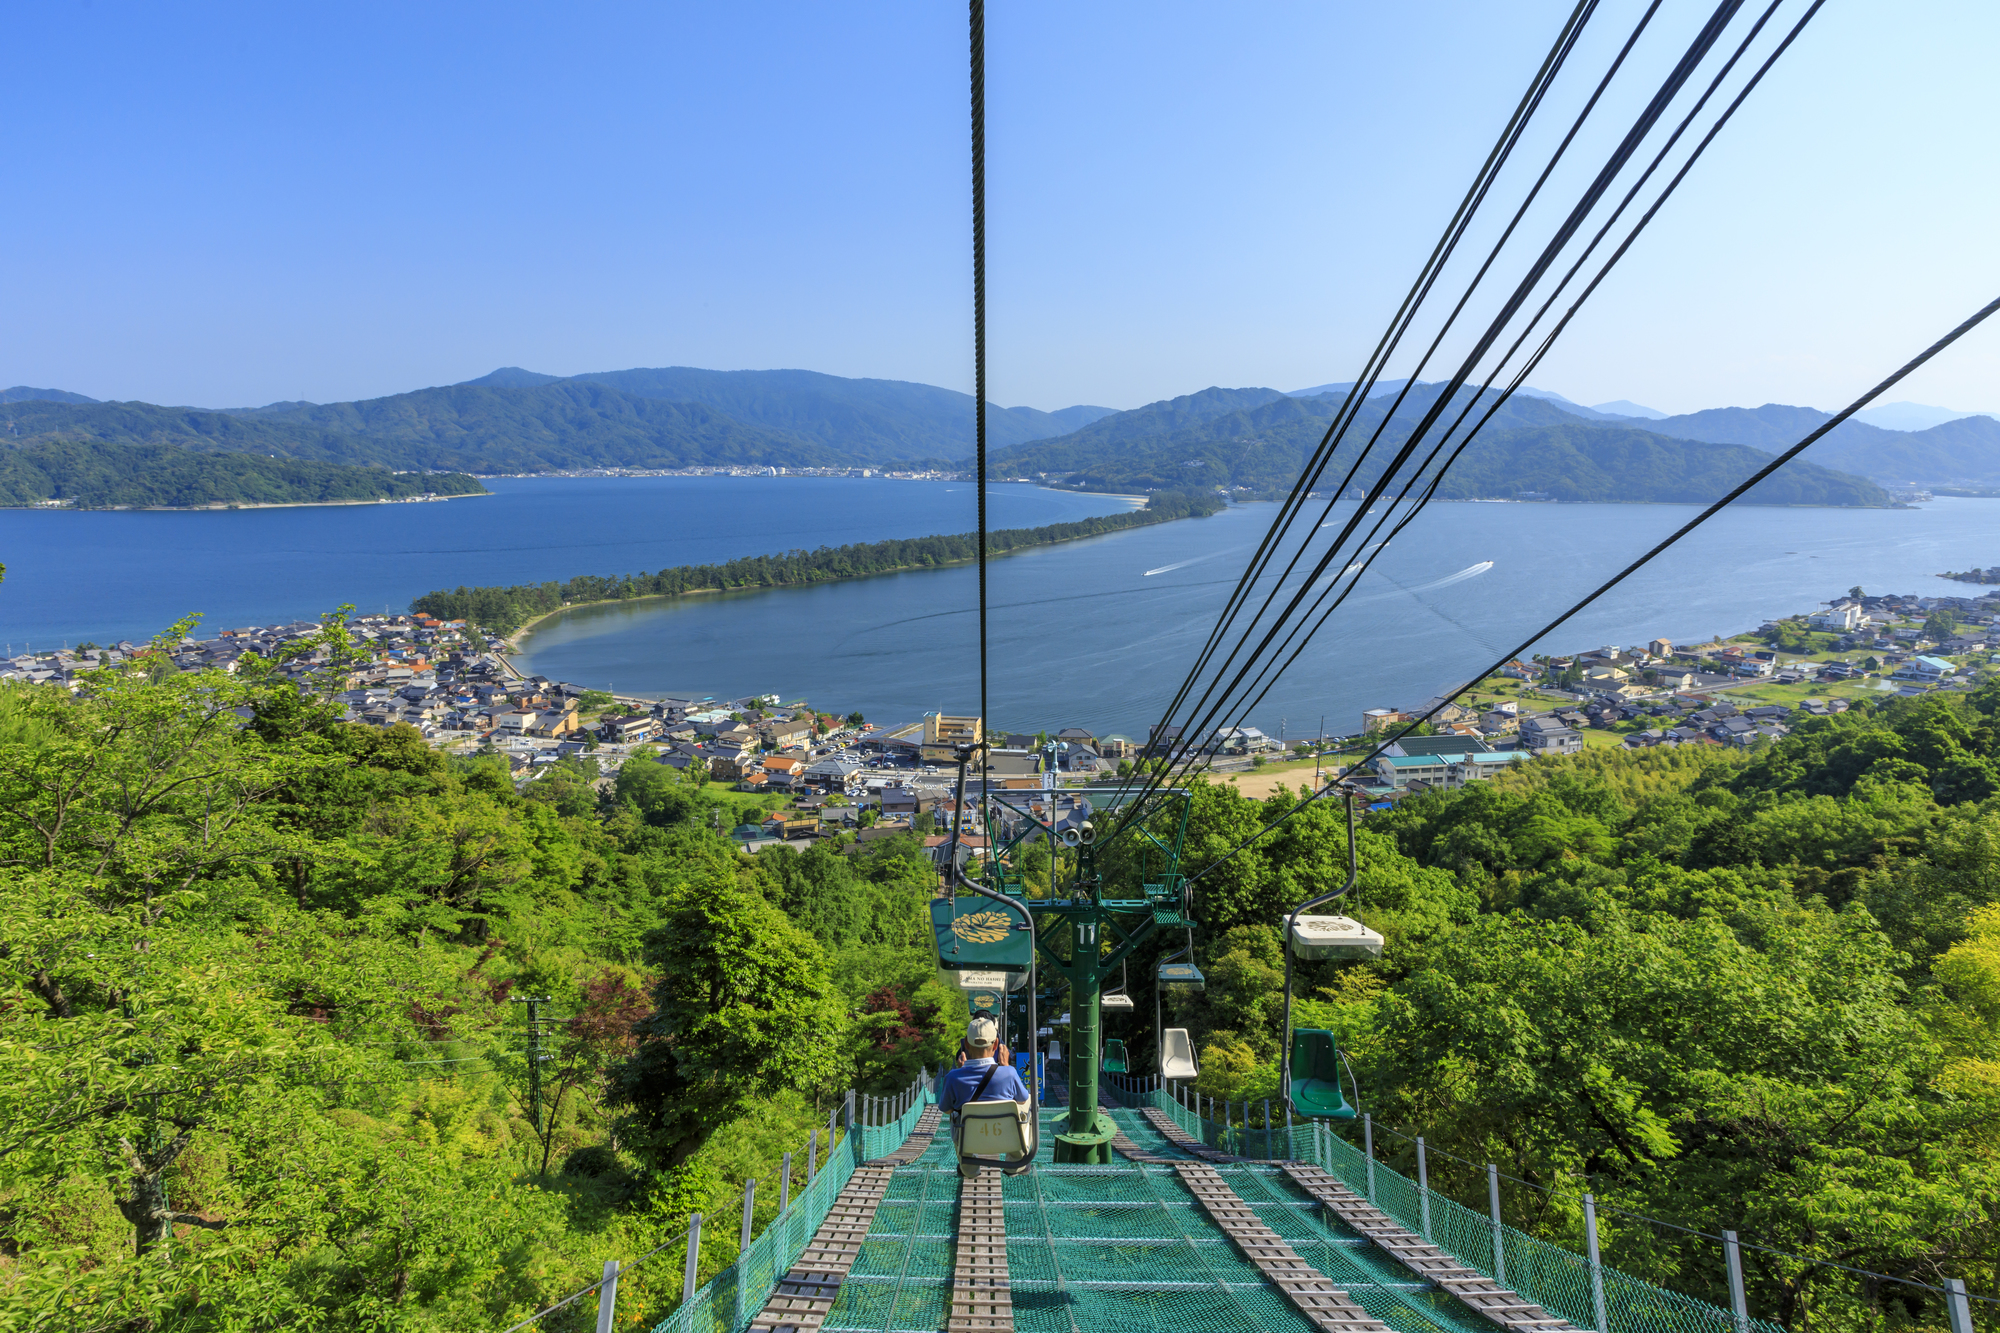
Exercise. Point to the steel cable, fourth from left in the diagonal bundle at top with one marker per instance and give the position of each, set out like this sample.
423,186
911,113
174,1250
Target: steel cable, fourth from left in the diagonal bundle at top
1373,551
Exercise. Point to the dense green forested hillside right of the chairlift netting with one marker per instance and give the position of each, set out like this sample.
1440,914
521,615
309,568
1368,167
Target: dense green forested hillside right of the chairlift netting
1755,994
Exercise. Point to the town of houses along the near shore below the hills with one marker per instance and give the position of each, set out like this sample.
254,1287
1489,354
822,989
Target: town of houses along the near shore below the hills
819,776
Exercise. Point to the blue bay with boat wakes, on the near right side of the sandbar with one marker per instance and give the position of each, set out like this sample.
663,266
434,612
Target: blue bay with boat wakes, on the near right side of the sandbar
1099,633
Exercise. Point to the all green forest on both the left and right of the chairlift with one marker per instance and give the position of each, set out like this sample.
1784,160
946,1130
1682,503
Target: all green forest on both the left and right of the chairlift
259,978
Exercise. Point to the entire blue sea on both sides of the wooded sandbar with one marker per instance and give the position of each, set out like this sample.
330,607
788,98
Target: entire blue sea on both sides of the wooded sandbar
1091,633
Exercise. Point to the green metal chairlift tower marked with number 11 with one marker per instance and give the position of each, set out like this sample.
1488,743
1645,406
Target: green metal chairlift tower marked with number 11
1113,882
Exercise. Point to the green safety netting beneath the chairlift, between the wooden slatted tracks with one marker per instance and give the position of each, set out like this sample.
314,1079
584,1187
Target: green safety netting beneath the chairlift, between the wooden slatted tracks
1127,1248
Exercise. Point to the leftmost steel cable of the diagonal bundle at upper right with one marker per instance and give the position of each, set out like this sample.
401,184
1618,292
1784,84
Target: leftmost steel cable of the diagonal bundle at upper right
1399,325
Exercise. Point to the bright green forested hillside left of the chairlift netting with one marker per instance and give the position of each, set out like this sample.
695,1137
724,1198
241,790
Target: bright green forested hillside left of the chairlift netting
265,1062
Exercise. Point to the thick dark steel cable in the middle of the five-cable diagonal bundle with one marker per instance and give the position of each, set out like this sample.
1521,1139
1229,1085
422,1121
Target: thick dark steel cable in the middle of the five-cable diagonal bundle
1615,165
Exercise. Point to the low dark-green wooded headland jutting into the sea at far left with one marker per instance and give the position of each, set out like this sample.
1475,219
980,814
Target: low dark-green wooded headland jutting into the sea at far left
105,475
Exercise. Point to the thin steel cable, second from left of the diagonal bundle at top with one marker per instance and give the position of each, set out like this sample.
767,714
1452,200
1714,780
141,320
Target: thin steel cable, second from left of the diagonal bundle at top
1337,433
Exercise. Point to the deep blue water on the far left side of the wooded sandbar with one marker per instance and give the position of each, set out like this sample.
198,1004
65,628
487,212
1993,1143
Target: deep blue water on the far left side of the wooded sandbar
127,575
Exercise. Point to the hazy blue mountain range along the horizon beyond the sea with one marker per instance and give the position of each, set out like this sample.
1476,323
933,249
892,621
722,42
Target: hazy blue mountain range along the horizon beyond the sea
523,421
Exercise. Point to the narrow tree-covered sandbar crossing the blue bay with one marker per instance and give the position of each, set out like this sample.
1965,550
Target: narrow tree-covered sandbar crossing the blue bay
505,609
